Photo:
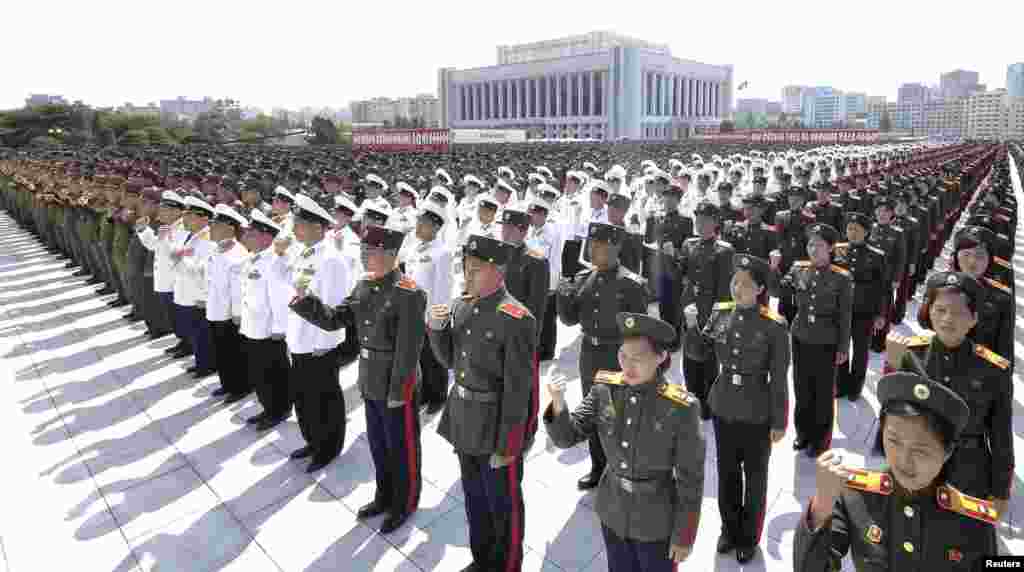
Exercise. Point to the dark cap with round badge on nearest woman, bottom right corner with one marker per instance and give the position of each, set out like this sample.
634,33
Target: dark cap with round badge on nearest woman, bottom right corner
903,387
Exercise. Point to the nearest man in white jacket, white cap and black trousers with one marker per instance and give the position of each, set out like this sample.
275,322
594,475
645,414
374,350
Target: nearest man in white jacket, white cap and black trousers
320,405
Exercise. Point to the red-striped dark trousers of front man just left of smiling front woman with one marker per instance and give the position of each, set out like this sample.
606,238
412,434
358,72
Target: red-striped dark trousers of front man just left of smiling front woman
495,512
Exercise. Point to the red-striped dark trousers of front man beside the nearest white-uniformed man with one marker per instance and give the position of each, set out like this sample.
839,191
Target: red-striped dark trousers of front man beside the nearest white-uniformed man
394,434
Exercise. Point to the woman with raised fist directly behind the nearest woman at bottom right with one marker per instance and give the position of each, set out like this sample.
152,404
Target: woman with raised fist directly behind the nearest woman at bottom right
984,463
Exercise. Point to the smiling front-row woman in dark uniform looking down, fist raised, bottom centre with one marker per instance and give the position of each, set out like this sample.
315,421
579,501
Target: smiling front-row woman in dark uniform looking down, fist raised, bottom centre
651,493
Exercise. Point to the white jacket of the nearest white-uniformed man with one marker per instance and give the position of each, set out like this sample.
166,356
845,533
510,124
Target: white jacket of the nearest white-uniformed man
330,280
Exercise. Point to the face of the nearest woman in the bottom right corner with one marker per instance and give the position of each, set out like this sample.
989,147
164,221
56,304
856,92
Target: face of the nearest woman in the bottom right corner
914,452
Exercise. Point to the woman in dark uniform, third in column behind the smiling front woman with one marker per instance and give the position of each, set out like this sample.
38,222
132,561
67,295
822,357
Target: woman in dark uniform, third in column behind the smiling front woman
824,294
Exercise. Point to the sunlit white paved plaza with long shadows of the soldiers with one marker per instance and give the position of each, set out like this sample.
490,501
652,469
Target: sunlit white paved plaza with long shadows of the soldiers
118,461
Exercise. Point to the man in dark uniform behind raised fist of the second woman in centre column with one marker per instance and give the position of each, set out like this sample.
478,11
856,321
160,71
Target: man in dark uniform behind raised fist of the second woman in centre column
706,267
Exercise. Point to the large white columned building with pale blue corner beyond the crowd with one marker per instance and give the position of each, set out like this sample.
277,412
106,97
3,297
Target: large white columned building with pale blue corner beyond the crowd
600,85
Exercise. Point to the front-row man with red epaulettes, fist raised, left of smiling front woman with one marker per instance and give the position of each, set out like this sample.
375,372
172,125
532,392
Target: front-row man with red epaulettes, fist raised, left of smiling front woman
489,339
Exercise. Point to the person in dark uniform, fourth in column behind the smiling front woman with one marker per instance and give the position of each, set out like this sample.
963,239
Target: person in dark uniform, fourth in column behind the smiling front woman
867,266
